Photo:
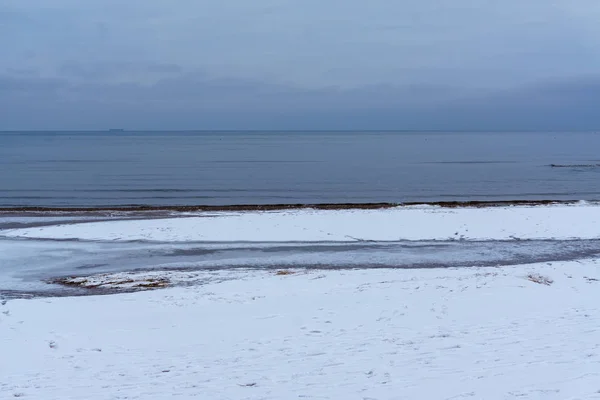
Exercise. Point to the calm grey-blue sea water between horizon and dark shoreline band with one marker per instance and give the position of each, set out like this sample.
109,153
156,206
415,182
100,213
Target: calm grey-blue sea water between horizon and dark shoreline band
222,168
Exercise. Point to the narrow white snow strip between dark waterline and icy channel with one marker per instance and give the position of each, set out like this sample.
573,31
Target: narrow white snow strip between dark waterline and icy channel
402,223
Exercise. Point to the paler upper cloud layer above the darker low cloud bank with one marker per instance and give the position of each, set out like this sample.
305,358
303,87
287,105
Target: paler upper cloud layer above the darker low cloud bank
364,43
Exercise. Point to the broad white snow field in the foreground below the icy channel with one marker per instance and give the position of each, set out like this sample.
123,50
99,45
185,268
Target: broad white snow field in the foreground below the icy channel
480,333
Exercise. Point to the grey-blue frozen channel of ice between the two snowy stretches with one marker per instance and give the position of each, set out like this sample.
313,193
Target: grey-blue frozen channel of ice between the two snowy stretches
27,265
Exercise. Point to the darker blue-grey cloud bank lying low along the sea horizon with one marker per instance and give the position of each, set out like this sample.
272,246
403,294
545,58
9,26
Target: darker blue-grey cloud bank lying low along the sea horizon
197,102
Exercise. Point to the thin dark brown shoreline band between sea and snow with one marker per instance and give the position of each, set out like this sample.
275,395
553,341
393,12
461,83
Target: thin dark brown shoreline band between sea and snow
294,206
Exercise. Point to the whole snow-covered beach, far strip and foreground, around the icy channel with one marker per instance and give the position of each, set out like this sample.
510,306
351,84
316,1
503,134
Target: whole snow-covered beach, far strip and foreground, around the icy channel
496,332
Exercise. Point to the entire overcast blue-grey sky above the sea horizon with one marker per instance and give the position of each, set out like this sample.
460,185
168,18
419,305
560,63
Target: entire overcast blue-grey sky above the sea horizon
300,64
